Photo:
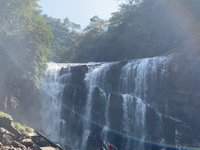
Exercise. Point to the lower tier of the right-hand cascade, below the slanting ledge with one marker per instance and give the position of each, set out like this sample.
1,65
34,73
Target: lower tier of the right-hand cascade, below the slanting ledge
134,118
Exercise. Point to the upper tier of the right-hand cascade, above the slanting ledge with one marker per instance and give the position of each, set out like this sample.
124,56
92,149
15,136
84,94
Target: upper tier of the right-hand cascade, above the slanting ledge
136,74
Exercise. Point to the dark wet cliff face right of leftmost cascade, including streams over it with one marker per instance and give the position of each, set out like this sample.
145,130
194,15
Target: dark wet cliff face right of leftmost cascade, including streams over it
132,104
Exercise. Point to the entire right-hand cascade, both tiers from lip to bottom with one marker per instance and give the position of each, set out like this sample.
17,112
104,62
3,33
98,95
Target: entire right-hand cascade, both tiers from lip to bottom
134,80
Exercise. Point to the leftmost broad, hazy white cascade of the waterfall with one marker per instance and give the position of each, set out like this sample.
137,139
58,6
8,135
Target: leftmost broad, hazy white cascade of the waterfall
51,90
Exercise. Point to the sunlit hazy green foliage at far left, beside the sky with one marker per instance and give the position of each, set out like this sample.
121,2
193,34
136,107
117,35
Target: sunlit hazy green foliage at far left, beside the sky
25,39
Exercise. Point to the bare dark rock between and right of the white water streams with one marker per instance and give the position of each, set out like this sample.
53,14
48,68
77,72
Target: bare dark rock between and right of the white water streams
171,95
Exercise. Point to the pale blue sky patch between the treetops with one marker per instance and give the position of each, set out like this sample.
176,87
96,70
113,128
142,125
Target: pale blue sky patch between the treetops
79,11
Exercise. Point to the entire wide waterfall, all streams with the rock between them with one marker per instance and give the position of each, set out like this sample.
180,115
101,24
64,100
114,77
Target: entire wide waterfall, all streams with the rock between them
136,82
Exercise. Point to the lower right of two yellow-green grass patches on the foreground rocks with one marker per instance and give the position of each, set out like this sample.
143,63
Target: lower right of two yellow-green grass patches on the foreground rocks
24,129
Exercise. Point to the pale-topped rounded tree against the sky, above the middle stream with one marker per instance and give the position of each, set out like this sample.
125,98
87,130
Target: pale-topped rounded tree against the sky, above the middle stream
87,48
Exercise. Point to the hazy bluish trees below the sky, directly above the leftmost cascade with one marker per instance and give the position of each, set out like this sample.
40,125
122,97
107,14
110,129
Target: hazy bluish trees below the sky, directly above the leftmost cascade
65,38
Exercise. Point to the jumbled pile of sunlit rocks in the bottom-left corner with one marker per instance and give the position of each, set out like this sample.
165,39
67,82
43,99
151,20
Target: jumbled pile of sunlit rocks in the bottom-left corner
12,139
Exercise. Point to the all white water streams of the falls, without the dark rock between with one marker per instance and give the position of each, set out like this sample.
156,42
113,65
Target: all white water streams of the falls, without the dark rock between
133,86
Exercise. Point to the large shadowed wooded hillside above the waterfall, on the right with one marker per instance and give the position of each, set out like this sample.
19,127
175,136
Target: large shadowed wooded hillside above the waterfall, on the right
141,28
